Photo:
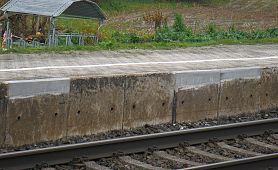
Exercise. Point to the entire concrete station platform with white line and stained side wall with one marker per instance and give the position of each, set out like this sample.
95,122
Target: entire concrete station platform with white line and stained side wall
50,96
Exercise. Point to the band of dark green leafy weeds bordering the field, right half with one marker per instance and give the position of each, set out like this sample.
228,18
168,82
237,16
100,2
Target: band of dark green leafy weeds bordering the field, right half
181,33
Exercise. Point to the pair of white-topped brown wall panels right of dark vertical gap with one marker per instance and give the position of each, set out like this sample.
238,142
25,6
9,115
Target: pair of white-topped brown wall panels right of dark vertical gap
212,93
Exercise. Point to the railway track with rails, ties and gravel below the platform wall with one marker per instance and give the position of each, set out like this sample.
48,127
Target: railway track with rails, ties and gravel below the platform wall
216,147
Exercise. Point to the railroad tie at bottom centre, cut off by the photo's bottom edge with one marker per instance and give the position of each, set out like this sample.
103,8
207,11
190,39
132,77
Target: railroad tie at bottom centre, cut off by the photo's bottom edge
138,164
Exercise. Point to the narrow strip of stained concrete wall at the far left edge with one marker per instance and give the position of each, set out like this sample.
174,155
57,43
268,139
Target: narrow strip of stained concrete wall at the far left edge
3,111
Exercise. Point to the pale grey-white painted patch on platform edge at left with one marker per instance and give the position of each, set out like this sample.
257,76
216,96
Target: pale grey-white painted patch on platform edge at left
30,88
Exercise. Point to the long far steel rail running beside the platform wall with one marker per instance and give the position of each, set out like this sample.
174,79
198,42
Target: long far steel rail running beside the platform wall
135,144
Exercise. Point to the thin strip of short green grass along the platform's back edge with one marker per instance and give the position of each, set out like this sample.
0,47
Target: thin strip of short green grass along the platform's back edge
148,45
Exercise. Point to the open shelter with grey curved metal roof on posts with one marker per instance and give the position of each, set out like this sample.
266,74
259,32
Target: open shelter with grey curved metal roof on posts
84,9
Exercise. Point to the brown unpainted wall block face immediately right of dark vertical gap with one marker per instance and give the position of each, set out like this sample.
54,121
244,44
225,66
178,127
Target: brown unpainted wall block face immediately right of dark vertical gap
197,103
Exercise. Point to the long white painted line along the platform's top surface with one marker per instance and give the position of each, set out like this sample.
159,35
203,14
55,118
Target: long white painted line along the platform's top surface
132,64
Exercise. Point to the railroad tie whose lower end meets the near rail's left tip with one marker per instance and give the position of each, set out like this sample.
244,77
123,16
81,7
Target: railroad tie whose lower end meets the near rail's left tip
164,155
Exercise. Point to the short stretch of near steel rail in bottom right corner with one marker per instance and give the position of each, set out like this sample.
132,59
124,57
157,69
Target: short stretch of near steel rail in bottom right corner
269,161
